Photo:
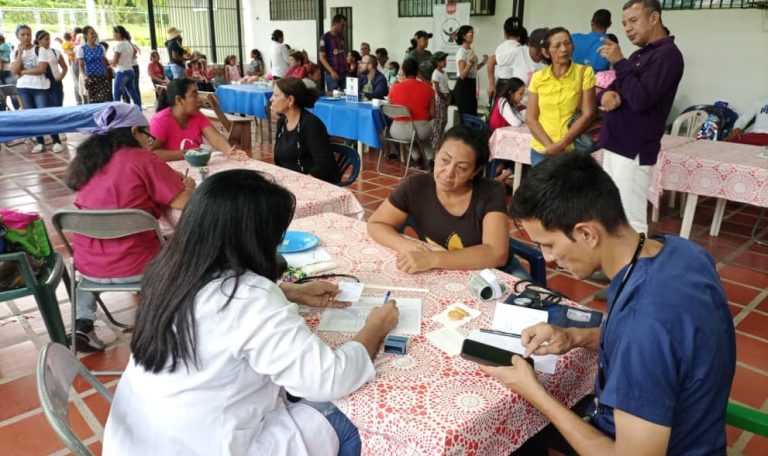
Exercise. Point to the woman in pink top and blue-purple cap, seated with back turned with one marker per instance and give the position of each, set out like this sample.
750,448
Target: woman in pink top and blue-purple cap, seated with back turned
114,169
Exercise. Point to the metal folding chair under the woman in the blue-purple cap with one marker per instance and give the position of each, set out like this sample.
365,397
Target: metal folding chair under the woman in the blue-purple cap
101,224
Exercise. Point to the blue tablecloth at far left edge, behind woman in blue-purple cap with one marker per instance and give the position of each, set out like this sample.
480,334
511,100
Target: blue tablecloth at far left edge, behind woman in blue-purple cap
45,121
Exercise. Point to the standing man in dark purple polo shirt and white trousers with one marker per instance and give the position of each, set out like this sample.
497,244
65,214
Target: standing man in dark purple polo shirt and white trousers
637,104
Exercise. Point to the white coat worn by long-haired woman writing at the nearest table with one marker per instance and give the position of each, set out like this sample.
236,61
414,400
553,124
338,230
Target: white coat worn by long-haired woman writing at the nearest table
250,353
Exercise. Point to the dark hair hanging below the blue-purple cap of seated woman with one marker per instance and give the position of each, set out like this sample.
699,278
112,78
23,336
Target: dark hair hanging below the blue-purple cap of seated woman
94,153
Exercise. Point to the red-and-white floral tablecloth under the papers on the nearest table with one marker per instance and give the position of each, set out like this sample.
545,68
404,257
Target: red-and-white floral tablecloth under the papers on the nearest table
426,402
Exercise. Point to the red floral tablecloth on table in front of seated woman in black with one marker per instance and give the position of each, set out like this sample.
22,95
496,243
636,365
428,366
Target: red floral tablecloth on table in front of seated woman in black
313,196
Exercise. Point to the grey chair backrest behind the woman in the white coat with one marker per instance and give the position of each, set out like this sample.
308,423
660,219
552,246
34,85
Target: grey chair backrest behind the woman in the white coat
57,369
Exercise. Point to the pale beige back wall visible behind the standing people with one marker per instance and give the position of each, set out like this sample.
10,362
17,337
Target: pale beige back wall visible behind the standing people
726,51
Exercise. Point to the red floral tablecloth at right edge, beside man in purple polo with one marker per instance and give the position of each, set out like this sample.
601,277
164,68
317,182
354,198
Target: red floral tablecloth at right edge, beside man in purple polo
736,172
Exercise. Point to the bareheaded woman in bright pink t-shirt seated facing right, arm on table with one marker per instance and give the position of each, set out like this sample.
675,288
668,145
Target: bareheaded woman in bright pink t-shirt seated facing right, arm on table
178,119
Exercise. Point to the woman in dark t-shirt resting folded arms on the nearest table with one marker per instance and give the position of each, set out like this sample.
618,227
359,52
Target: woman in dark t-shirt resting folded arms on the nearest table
459,213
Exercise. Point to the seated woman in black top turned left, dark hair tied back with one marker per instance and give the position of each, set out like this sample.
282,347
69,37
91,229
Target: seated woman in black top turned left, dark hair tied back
302,142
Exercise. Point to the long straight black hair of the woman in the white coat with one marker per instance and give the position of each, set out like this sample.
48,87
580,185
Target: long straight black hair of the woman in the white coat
231,225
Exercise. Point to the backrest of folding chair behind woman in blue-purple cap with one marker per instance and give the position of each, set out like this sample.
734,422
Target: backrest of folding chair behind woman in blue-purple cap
104,224
